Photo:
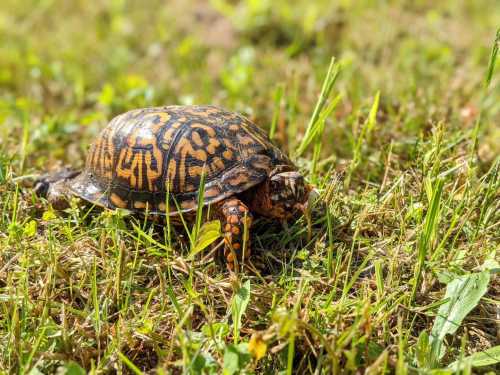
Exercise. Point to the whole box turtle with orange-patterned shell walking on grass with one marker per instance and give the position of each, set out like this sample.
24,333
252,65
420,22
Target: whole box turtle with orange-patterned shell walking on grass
156,161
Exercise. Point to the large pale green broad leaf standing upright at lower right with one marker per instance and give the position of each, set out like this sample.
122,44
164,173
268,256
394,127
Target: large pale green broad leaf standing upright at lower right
462,295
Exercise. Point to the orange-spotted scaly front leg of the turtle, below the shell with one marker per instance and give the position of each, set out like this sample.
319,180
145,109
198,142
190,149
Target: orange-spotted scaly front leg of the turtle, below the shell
237,221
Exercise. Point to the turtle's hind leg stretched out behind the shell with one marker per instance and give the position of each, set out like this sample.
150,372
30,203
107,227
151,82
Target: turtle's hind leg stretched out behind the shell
52,186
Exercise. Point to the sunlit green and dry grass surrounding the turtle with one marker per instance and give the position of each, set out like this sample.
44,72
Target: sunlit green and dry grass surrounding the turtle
402,143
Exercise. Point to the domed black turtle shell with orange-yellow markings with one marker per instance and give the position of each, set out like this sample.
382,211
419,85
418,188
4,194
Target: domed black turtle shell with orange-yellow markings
153,159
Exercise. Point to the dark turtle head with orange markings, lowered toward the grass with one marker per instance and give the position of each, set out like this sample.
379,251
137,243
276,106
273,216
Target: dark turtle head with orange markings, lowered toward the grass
288,193
